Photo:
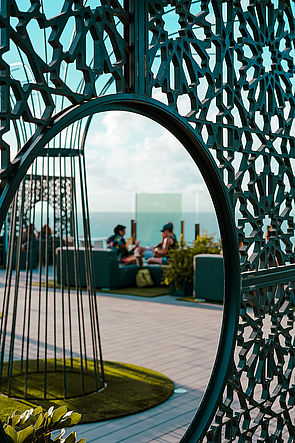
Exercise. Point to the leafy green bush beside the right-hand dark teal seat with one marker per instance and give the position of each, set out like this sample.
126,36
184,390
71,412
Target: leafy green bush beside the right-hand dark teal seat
179,274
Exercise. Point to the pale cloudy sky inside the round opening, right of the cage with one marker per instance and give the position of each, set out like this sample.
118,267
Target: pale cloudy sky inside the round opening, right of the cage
127,154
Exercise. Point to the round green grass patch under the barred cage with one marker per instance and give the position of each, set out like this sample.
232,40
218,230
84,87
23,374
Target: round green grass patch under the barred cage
130,389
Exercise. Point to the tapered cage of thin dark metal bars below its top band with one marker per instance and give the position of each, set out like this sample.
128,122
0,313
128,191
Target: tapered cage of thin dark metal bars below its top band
56,324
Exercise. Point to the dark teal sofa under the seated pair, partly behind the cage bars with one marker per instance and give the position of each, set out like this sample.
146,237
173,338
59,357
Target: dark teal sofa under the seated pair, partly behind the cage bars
106,270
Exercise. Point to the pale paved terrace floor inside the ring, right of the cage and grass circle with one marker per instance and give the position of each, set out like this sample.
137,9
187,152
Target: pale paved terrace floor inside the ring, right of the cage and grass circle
176,338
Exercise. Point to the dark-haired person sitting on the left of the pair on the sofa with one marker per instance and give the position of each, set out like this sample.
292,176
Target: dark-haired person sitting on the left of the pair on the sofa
117,241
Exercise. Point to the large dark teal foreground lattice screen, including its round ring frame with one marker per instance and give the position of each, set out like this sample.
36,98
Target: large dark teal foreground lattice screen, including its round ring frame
225,72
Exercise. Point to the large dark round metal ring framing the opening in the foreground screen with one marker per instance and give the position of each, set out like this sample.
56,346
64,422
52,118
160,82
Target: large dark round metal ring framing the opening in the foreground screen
179,127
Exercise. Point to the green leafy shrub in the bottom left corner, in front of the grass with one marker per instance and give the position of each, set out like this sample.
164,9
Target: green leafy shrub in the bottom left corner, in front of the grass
37,425
